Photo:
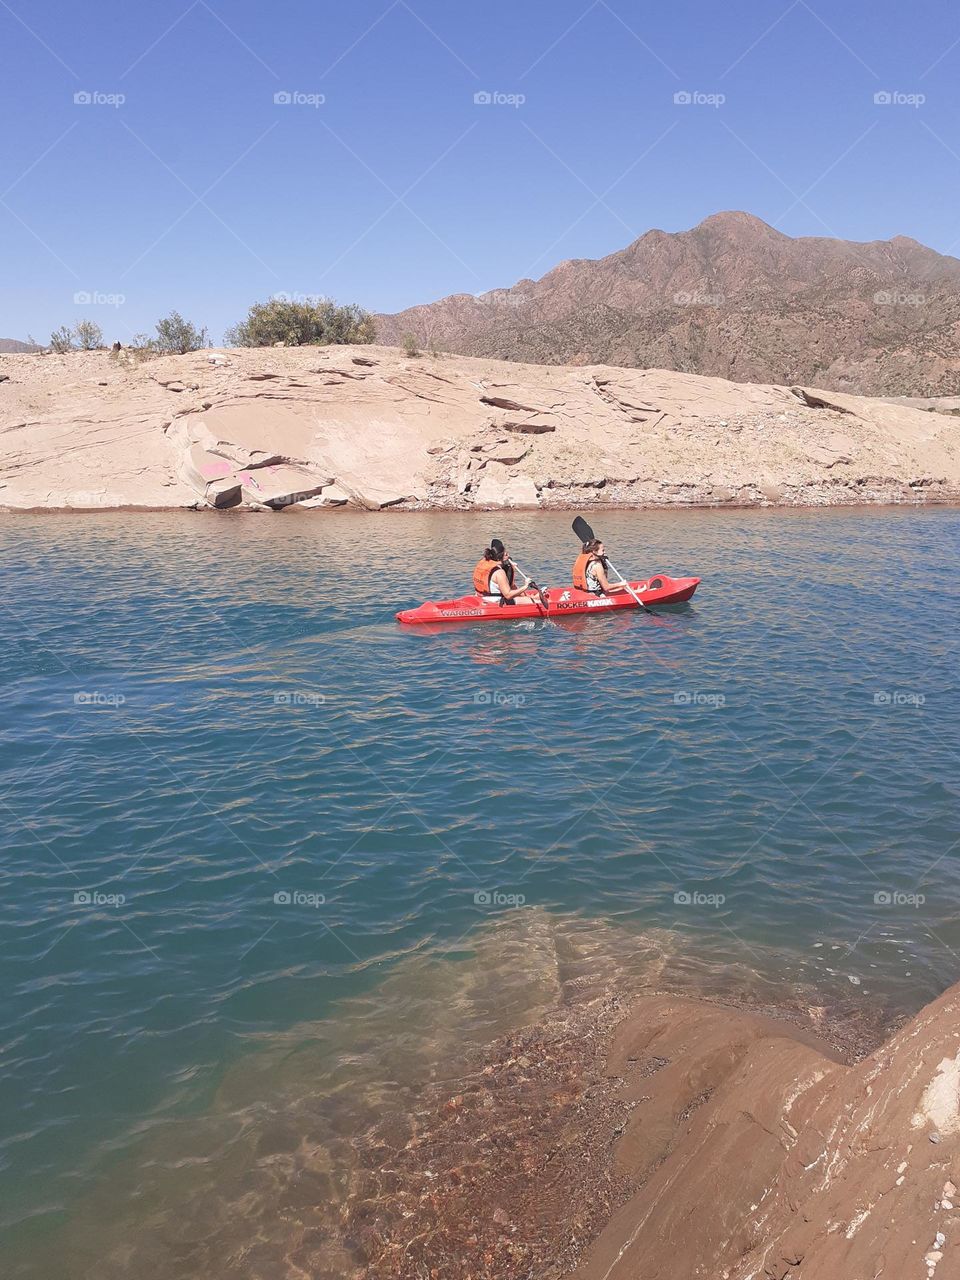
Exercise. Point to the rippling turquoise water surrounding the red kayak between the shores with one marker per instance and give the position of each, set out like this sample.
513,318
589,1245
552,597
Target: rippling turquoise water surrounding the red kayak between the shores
266,848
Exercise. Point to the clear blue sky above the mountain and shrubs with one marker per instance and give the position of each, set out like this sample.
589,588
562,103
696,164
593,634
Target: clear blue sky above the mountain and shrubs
200,193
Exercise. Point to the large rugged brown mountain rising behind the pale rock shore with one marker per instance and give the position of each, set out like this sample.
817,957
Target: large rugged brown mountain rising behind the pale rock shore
734,299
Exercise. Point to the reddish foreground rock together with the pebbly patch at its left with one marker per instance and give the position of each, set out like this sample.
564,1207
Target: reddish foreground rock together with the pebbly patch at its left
705,1142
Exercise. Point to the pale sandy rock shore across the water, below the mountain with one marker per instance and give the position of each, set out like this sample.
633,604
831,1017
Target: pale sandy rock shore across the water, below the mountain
372,428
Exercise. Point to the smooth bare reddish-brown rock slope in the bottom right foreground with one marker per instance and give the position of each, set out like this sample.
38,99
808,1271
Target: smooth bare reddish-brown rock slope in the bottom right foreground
756,1156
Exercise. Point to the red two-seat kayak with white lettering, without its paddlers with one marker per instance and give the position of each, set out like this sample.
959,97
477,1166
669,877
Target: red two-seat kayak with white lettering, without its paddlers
561,602
